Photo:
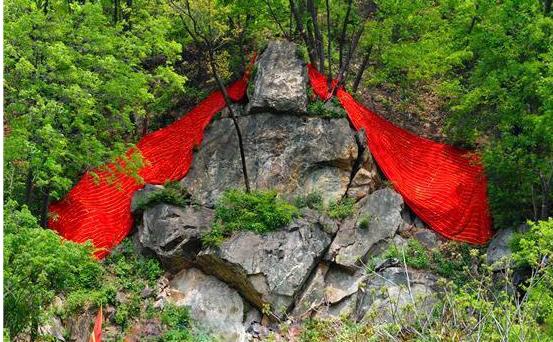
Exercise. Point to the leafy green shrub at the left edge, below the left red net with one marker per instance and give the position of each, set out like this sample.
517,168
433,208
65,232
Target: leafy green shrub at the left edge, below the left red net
38,265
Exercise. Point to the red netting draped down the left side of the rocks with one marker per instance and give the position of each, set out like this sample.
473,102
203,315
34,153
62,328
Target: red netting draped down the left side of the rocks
100,211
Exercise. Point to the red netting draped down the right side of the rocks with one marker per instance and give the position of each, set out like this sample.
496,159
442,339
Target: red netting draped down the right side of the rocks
445,186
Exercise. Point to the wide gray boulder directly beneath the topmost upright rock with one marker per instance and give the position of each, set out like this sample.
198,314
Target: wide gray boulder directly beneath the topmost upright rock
291,154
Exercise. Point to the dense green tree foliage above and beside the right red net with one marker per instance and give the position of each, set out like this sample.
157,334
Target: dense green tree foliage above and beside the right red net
488,66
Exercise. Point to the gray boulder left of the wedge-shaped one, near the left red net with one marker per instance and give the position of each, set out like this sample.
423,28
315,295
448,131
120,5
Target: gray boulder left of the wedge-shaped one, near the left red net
173,233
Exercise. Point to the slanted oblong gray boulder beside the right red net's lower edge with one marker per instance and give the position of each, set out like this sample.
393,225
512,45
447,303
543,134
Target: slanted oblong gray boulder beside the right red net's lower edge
382,211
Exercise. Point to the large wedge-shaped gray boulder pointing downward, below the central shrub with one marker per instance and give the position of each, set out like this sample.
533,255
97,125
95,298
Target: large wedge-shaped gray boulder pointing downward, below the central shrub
270,268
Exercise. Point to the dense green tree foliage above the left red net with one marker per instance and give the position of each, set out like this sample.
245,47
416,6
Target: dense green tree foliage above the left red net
76,86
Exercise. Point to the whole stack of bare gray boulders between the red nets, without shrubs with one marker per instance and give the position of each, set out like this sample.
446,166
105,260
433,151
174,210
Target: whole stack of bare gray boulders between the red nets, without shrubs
314,266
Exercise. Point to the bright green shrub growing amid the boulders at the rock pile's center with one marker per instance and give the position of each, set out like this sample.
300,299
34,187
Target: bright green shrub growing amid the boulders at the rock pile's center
257,211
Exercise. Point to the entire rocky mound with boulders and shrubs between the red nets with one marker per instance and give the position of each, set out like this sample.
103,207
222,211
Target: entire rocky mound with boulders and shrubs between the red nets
322,249
